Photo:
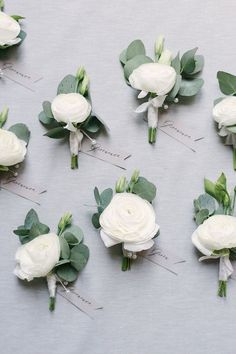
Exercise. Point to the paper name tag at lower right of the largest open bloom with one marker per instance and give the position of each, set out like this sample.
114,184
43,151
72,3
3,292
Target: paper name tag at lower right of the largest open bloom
162,258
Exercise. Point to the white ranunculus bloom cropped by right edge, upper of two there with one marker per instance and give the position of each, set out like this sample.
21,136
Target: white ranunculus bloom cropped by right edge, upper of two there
224,112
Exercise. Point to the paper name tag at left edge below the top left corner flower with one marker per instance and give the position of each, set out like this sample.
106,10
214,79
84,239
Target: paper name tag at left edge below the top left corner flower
18,74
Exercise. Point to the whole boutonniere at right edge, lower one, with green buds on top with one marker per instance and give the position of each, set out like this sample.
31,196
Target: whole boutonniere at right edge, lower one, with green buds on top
215,236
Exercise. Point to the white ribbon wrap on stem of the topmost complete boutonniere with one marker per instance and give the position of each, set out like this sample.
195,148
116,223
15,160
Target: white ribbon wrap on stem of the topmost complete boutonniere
151,106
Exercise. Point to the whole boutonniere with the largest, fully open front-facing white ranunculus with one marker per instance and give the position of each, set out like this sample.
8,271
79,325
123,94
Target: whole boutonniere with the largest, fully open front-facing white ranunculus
127,216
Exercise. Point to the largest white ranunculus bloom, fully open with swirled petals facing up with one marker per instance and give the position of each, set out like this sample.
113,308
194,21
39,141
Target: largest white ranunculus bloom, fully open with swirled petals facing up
128,219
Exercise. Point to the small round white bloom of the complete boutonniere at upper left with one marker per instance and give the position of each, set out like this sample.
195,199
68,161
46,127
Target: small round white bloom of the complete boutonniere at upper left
70,108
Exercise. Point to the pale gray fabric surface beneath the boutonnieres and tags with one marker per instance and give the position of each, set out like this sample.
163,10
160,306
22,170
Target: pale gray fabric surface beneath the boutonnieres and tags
147,310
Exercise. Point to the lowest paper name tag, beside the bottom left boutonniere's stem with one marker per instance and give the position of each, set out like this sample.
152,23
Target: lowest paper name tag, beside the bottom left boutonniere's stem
79,300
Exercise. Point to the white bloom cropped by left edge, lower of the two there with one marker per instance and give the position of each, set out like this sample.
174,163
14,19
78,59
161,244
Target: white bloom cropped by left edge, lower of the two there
12,149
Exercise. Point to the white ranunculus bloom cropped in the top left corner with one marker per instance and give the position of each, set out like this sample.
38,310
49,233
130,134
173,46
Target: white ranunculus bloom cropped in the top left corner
9,29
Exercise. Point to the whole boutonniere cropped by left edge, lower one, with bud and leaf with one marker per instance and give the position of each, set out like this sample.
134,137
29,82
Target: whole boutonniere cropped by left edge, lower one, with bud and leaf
13,144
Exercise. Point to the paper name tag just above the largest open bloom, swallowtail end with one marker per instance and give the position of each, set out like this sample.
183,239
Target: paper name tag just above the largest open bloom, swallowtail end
104,153
